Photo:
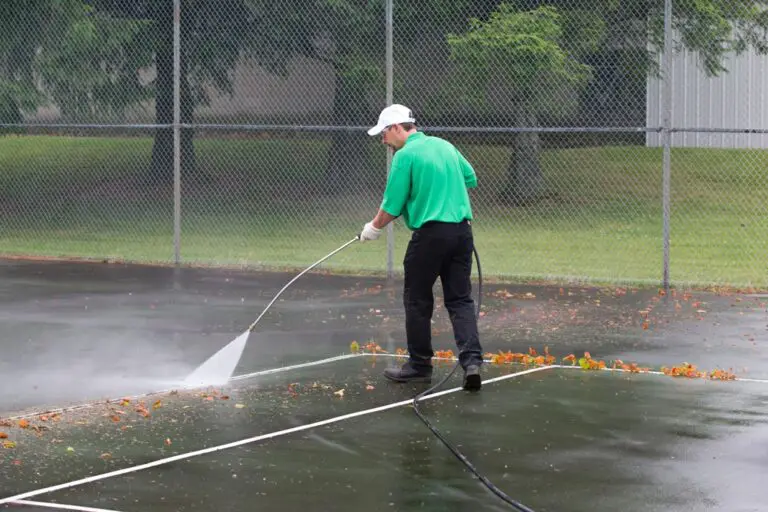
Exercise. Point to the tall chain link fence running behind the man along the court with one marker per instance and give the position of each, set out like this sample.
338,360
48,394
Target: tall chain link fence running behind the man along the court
233,134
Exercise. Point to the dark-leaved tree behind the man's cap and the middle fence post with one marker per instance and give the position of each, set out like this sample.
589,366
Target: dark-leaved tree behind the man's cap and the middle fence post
349,36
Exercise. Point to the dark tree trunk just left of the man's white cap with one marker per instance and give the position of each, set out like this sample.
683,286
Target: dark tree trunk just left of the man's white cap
348,153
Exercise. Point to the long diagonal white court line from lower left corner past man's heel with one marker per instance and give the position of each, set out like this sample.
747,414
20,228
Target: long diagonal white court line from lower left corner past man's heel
205,451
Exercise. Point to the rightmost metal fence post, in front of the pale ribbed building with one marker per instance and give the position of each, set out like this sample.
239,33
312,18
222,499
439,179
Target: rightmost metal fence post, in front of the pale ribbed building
666,136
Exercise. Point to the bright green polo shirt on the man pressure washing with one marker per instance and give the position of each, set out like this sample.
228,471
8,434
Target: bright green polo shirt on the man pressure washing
428,181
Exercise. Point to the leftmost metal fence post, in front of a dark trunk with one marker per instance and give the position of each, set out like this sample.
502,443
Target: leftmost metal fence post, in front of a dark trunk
177,131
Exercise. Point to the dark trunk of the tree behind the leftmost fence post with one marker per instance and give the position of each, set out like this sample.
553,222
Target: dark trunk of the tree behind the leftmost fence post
162,151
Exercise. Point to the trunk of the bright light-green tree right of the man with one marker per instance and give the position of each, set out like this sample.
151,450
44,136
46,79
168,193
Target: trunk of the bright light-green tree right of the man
524,178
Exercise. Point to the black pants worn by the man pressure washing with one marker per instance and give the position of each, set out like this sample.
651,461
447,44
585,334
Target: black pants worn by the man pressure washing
444,250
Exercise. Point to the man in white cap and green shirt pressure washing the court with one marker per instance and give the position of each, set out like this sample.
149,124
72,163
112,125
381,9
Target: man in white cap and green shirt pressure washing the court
427,186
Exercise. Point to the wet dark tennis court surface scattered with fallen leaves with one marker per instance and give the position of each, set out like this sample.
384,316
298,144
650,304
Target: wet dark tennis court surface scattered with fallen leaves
94,416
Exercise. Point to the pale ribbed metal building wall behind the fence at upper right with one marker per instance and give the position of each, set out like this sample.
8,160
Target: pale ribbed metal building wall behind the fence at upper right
737,99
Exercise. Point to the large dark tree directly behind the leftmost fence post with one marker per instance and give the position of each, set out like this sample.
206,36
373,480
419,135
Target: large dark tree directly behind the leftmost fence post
213,37
